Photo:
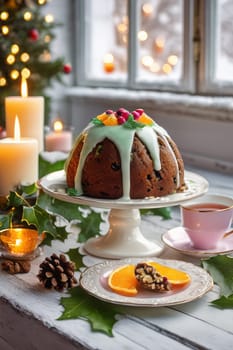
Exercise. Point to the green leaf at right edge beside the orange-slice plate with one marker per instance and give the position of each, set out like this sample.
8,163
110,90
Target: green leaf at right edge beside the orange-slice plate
220,268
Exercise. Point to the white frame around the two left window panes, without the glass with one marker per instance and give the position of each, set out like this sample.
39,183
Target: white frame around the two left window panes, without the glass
187,81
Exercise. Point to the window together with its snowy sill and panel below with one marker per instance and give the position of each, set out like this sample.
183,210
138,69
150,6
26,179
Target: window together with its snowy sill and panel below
121,47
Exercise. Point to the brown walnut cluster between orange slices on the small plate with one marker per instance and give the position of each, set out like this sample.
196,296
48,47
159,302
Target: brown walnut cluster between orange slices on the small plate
149,278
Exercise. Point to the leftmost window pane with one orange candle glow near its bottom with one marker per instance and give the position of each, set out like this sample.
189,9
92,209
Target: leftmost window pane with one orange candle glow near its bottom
107,29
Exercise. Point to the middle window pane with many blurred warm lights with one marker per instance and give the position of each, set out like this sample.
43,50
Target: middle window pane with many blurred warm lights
160,40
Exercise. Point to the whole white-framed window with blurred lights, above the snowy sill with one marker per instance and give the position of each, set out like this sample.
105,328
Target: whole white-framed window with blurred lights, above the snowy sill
172,45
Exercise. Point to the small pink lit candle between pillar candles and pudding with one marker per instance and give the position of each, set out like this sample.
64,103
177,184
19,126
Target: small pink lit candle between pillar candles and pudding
59,139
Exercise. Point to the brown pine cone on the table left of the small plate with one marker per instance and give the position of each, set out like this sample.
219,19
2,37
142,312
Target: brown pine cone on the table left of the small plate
57,272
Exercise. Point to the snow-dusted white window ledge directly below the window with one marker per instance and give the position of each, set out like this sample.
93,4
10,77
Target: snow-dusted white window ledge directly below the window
211,108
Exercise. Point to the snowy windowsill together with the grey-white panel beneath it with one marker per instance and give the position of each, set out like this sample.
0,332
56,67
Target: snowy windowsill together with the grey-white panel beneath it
201,126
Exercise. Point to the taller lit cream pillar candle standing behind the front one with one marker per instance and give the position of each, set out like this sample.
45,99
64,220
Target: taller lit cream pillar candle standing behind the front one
30,111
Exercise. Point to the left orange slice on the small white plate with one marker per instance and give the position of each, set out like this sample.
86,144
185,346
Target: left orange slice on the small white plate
122,280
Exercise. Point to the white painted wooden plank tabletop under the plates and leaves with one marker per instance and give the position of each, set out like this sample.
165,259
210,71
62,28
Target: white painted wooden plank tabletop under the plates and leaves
28,312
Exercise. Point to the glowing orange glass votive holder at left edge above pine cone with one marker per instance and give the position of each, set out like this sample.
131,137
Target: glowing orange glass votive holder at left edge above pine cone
20,241
